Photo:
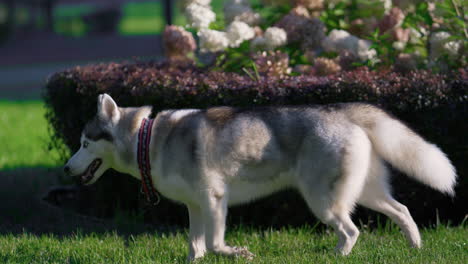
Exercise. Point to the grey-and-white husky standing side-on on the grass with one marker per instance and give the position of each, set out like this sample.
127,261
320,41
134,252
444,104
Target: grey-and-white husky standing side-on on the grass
333,155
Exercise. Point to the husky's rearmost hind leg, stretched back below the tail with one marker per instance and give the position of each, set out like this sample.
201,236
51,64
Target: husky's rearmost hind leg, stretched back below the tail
376,196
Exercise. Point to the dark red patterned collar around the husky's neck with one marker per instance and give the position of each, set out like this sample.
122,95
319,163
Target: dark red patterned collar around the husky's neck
144,163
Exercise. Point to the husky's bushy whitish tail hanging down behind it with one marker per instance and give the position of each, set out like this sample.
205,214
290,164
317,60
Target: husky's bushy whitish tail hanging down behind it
404,149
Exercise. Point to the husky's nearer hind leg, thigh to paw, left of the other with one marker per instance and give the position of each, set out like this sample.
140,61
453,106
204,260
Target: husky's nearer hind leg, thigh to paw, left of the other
332,199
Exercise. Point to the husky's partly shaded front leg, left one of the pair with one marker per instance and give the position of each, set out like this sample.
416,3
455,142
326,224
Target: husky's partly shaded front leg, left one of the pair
197,246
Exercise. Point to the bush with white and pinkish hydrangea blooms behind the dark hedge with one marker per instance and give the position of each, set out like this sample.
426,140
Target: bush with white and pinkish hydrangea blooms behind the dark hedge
349,33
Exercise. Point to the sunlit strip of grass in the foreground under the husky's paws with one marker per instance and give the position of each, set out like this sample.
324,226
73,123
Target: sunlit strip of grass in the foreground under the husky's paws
290,245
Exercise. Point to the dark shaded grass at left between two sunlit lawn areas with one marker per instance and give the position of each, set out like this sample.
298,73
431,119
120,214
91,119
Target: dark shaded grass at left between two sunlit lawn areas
23,209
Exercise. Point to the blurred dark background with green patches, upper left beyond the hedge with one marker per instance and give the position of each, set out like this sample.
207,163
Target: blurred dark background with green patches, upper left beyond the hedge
40,37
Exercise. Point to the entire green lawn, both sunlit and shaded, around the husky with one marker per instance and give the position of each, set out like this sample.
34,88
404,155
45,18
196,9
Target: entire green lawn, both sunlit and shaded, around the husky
34,232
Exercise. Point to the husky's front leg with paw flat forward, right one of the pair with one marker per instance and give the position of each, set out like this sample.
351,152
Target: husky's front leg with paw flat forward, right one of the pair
215,226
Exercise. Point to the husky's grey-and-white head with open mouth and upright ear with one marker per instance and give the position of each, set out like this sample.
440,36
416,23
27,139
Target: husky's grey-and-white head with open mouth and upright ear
96,153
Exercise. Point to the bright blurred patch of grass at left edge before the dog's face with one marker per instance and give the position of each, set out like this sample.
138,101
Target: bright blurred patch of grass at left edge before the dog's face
24,136
